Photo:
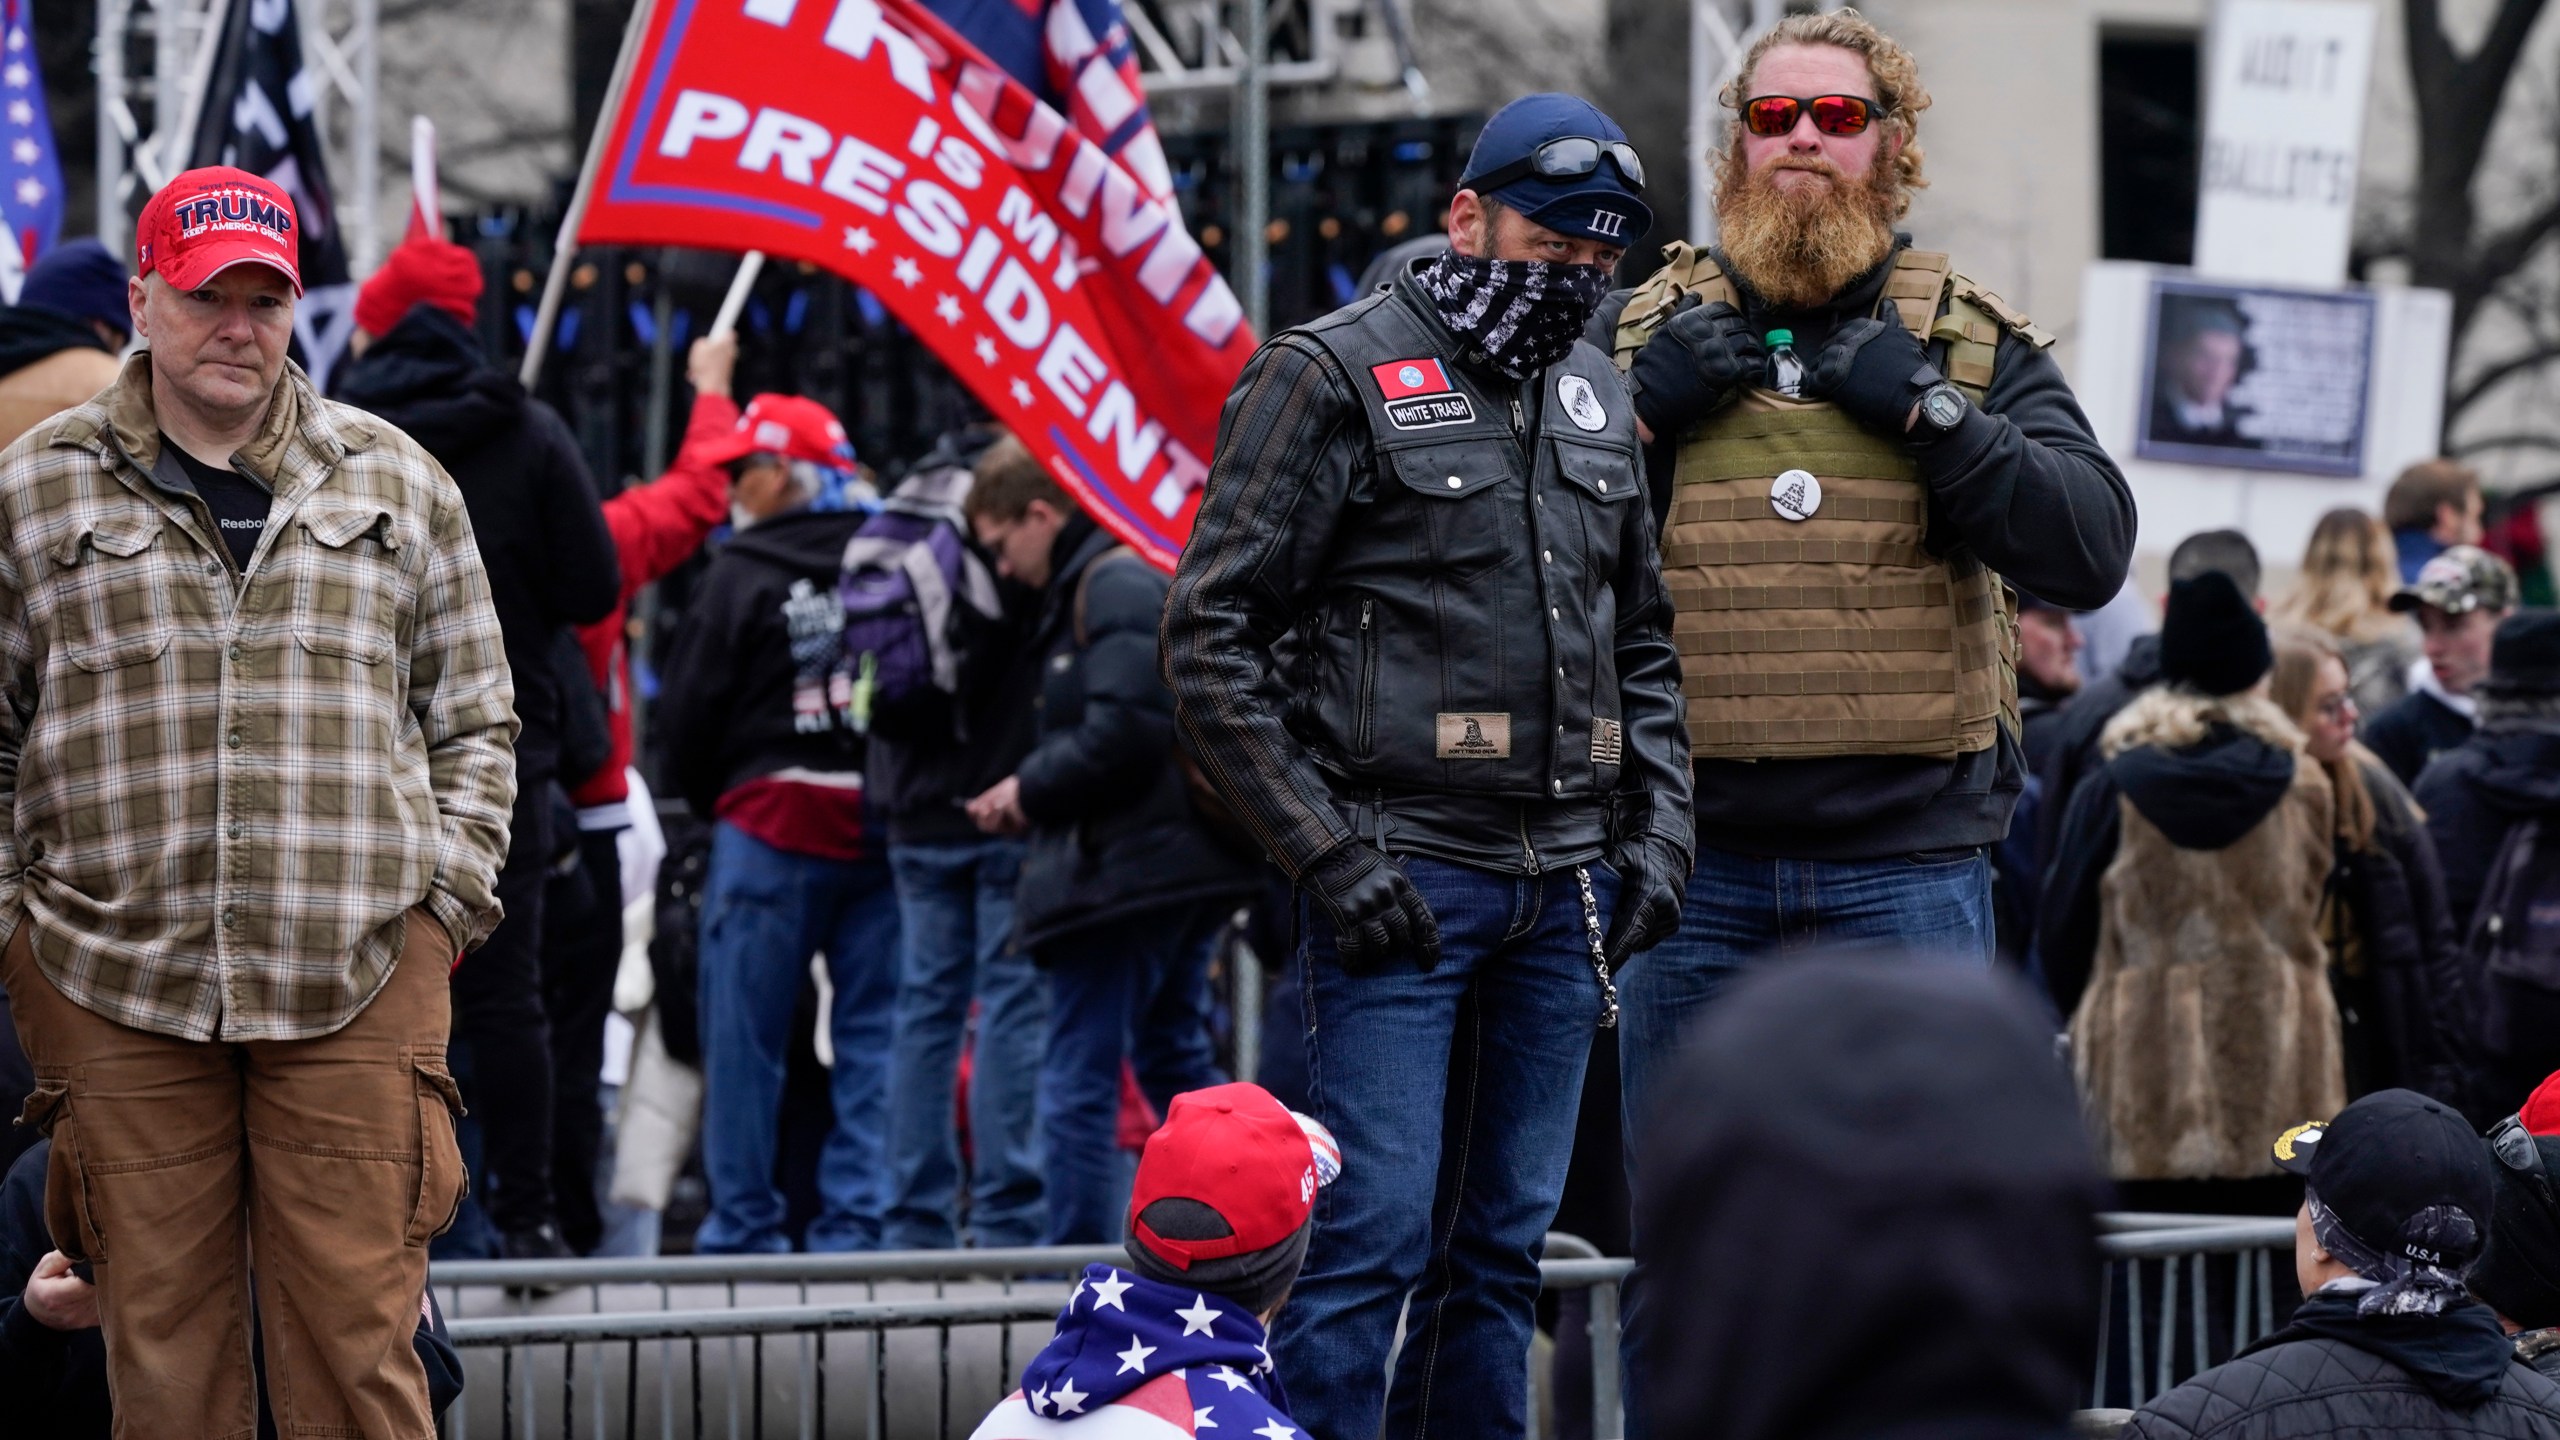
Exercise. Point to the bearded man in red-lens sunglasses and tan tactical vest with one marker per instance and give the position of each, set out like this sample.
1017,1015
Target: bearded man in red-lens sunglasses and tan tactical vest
1844,560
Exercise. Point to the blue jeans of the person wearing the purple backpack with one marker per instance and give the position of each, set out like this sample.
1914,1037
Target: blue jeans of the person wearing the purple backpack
956,908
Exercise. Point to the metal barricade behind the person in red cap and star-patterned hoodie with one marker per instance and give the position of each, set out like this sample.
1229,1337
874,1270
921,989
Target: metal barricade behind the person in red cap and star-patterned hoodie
756,1346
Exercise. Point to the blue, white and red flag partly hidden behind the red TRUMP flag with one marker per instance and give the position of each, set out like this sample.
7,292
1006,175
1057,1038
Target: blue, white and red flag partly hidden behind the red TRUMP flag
1079,58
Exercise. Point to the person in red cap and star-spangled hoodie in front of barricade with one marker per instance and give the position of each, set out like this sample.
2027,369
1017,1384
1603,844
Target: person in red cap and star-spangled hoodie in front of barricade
1220,1221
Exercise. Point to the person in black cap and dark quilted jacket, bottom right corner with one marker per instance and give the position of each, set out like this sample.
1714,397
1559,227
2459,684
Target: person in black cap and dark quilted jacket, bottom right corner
2387,1344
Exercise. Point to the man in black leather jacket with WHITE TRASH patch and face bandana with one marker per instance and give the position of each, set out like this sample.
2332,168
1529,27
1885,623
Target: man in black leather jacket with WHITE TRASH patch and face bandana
1420,642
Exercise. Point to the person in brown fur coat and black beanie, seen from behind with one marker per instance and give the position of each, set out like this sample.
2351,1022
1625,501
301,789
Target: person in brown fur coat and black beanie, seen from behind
2182,937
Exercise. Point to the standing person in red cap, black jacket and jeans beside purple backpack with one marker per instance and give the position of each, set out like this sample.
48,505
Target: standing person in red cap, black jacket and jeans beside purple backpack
756,734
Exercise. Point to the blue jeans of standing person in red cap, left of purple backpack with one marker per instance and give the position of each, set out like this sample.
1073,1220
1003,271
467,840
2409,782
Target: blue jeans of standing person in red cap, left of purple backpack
764,913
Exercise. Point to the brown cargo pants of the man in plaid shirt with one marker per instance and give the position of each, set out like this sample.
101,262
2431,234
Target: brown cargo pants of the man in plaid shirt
321,1165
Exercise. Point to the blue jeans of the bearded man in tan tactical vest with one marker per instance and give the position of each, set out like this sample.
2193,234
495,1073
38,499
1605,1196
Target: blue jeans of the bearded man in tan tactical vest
1747,911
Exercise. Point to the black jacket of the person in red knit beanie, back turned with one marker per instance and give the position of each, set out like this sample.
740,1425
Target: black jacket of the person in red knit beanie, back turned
534,506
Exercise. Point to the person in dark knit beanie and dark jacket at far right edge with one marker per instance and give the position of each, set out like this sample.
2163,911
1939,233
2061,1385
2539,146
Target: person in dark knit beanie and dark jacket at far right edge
2502,775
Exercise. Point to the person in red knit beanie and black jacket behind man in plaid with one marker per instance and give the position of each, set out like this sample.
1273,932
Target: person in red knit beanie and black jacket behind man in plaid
552,565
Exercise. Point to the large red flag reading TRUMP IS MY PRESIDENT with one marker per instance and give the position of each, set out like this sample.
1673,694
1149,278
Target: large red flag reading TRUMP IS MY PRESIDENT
1023,229
